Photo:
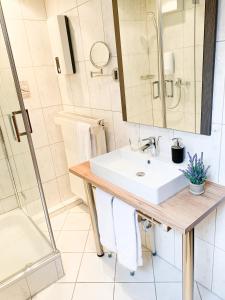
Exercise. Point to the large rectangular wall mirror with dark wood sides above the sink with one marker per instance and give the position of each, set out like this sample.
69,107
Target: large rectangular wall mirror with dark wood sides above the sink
166,54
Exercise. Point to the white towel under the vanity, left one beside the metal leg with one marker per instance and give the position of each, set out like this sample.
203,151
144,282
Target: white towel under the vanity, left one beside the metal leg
104,202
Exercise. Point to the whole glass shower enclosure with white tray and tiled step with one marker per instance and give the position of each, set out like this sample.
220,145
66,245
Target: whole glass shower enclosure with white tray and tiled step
26,240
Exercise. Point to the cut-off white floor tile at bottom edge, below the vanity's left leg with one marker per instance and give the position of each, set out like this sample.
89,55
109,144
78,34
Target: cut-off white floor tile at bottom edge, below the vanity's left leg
93,291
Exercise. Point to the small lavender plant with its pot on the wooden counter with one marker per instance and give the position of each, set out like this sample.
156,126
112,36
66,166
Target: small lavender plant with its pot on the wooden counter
196,172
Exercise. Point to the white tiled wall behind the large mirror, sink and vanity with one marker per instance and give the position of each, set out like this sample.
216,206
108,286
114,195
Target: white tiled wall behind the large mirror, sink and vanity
91,21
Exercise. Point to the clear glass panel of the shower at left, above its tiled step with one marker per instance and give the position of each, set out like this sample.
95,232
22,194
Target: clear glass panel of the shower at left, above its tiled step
22,218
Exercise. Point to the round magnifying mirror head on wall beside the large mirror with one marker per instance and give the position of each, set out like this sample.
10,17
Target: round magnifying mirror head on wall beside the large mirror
100,55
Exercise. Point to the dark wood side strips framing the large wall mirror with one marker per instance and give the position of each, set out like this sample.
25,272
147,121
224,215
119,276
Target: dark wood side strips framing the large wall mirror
209,49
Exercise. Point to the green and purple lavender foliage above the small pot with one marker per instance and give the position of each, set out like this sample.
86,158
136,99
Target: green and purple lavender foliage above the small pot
196,171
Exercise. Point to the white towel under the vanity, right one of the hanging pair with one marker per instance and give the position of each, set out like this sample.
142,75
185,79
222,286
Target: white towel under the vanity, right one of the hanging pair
127,232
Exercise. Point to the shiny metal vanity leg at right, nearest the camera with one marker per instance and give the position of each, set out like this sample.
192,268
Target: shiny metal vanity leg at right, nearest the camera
188,265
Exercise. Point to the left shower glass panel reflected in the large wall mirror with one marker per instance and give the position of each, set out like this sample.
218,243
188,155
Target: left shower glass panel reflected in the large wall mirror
136,50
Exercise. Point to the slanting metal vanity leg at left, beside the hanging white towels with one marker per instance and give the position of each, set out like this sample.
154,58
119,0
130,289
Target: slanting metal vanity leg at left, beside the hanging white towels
93,214
